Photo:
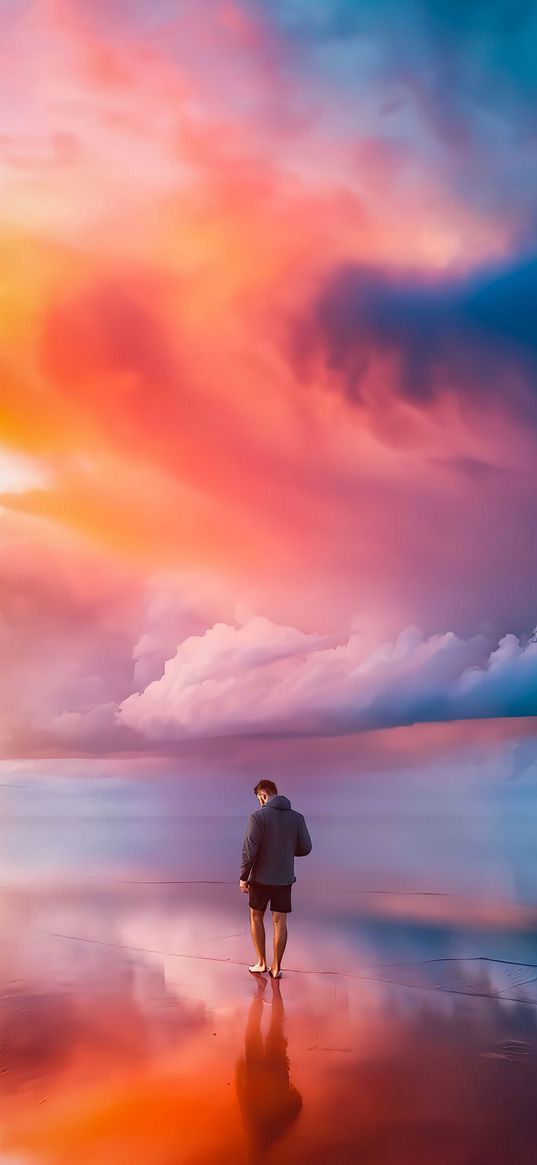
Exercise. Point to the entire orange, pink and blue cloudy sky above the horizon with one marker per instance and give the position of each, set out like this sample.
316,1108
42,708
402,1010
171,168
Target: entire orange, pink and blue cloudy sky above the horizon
268,375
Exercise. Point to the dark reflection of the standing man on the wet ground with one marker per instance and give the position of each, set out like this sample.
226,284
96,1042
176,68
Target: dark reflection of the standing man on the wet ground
268,1102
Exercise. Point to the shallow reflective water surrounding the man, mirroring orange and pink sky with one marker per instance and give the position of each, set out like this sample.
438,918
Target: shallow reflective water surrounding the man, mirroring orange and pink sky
404,1032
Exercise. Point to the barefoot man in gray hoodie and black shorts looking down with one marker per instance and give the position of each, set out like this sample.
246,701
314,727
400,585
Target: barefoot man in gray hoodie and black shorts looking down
274,837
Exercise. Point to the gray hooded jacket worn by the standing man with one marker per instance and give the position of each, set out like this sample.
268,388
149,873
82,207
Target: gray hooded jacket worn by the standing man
274,837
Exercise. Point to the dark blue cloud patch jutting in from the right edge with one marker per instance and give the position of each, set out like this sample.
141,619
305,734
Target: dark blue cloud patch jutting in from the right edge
474,331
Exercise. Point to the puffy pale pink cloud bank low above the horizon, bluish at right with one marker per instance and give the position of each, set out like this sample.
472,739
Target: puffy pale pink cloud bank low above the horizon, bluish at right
260,679
